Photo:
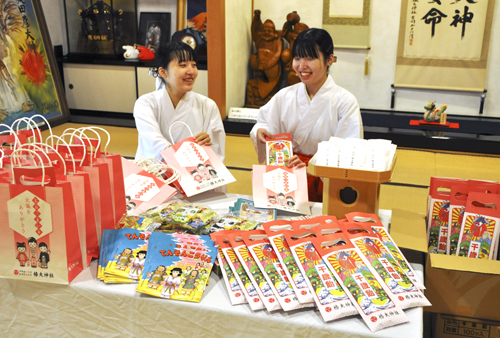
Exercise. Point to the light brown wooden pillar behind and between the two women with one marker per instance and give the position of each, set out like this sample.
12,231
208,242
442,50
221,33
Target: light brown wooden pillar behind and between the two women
216,53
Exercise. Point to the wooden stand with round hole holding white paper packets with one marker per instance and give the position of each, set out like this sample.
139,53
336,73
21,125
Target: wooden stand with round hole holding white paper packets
365,183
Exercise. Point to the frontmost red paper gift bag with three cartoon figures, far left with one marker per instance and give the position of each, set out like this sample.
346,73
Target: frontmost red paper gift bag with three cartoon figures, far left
40,240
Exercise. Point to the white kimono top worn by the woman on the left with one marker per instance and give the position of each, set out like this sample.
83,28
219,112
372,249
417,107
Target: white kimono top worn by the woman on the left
154,113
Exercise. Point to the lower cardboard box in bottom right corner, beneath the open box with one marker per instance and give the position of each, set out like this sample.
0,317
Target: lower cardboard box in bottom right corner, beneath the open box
447,326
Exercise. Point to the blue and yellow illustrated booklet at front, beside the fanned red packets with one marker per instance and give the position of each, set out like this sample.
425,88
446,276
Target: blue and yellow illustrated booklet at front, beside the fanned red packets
178,266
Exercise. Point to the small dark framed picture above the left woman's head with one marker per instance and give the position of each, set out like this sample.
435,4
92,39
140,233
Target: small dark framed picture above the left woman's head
154,29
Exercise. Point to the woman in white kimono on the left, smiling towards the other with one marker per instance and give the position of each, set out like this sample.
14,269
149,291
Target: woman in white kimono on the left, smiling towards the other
174,101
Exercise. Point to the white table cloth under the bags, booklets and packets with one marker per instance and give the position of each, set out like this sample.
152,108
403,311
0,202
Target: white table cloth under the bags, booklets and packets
90,308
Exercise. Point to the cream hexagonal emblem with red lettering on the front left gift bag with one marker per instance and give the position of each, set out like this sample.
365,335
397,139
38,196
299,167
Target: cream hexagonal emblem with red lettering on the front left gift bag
29,215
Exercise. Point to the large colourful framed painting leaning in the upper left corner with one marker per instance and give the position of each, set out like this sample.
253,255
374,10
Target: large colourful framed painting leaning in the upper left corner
30,82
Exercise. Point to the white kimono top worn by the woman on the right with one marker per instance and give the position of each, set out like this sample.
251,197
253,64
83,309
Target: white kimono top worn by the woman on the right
333,111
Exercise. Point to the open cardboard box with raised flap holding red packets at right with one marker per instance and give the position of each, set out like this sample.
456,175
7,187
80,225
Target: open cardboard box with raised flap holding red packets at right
459,286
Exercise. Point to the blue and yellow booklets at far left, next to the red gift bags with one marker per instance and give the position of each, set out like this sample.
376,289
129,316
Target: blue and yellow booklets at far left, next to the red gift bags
123,253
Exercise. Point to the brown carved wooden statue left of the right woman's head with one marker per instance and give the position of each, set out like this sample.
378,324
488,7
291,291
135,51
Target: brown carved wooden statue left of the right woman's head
265,62
